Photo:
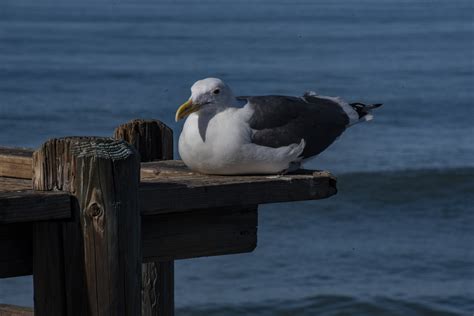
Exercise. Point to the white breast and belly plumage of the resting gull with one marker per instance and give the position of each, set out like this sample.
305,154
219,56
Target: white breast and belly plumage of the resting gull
227,148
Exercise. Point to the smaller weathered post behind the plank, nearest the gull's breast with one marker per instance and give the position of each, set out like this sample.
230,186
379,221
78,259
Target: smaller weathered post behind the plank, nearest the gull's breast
154,141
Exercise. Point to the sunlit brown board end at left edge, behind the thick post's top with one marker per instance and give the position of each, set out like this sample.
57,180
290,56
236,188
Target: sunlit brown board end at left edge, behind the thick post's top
15,162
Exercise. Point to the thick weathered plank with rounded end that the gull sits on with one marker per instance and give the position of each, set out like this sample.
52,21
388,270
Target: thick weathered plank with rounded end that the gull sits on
169,186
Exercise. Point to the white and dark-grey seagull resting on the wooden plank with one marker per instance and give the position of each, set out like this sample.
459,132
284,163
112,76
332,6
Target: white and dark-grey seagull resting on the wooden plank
228,135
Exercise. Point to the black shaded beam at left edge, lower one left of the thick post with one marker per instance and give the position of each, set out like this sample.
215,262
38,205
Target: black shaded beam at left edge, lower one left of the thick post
16,250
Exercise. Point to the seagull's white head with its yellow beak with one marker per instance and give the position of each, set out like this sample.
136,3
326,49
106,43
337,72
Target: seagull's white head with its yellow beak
206,93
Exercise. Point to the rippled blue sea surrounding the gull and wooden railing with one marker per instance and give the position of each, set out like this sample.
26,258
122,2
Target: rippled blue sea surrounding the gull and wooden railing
397,239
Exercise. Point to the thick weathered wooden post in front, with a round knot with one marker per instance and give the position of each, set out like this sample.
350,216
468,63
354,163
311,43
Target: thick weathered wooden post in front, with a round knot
90,265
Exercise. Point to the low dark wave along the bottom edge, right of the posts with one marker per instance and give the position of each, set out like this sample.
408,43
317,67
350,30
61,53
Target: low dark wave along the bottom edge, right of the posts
329,305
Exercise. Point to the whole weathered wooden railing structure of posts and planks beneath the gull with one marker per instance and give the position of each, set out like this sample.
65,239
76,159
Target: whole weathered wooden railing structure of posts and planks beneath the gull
83,214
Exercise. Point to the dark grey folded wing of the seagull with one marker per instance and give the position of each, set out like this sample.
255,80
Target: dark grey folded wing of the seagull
280,121
